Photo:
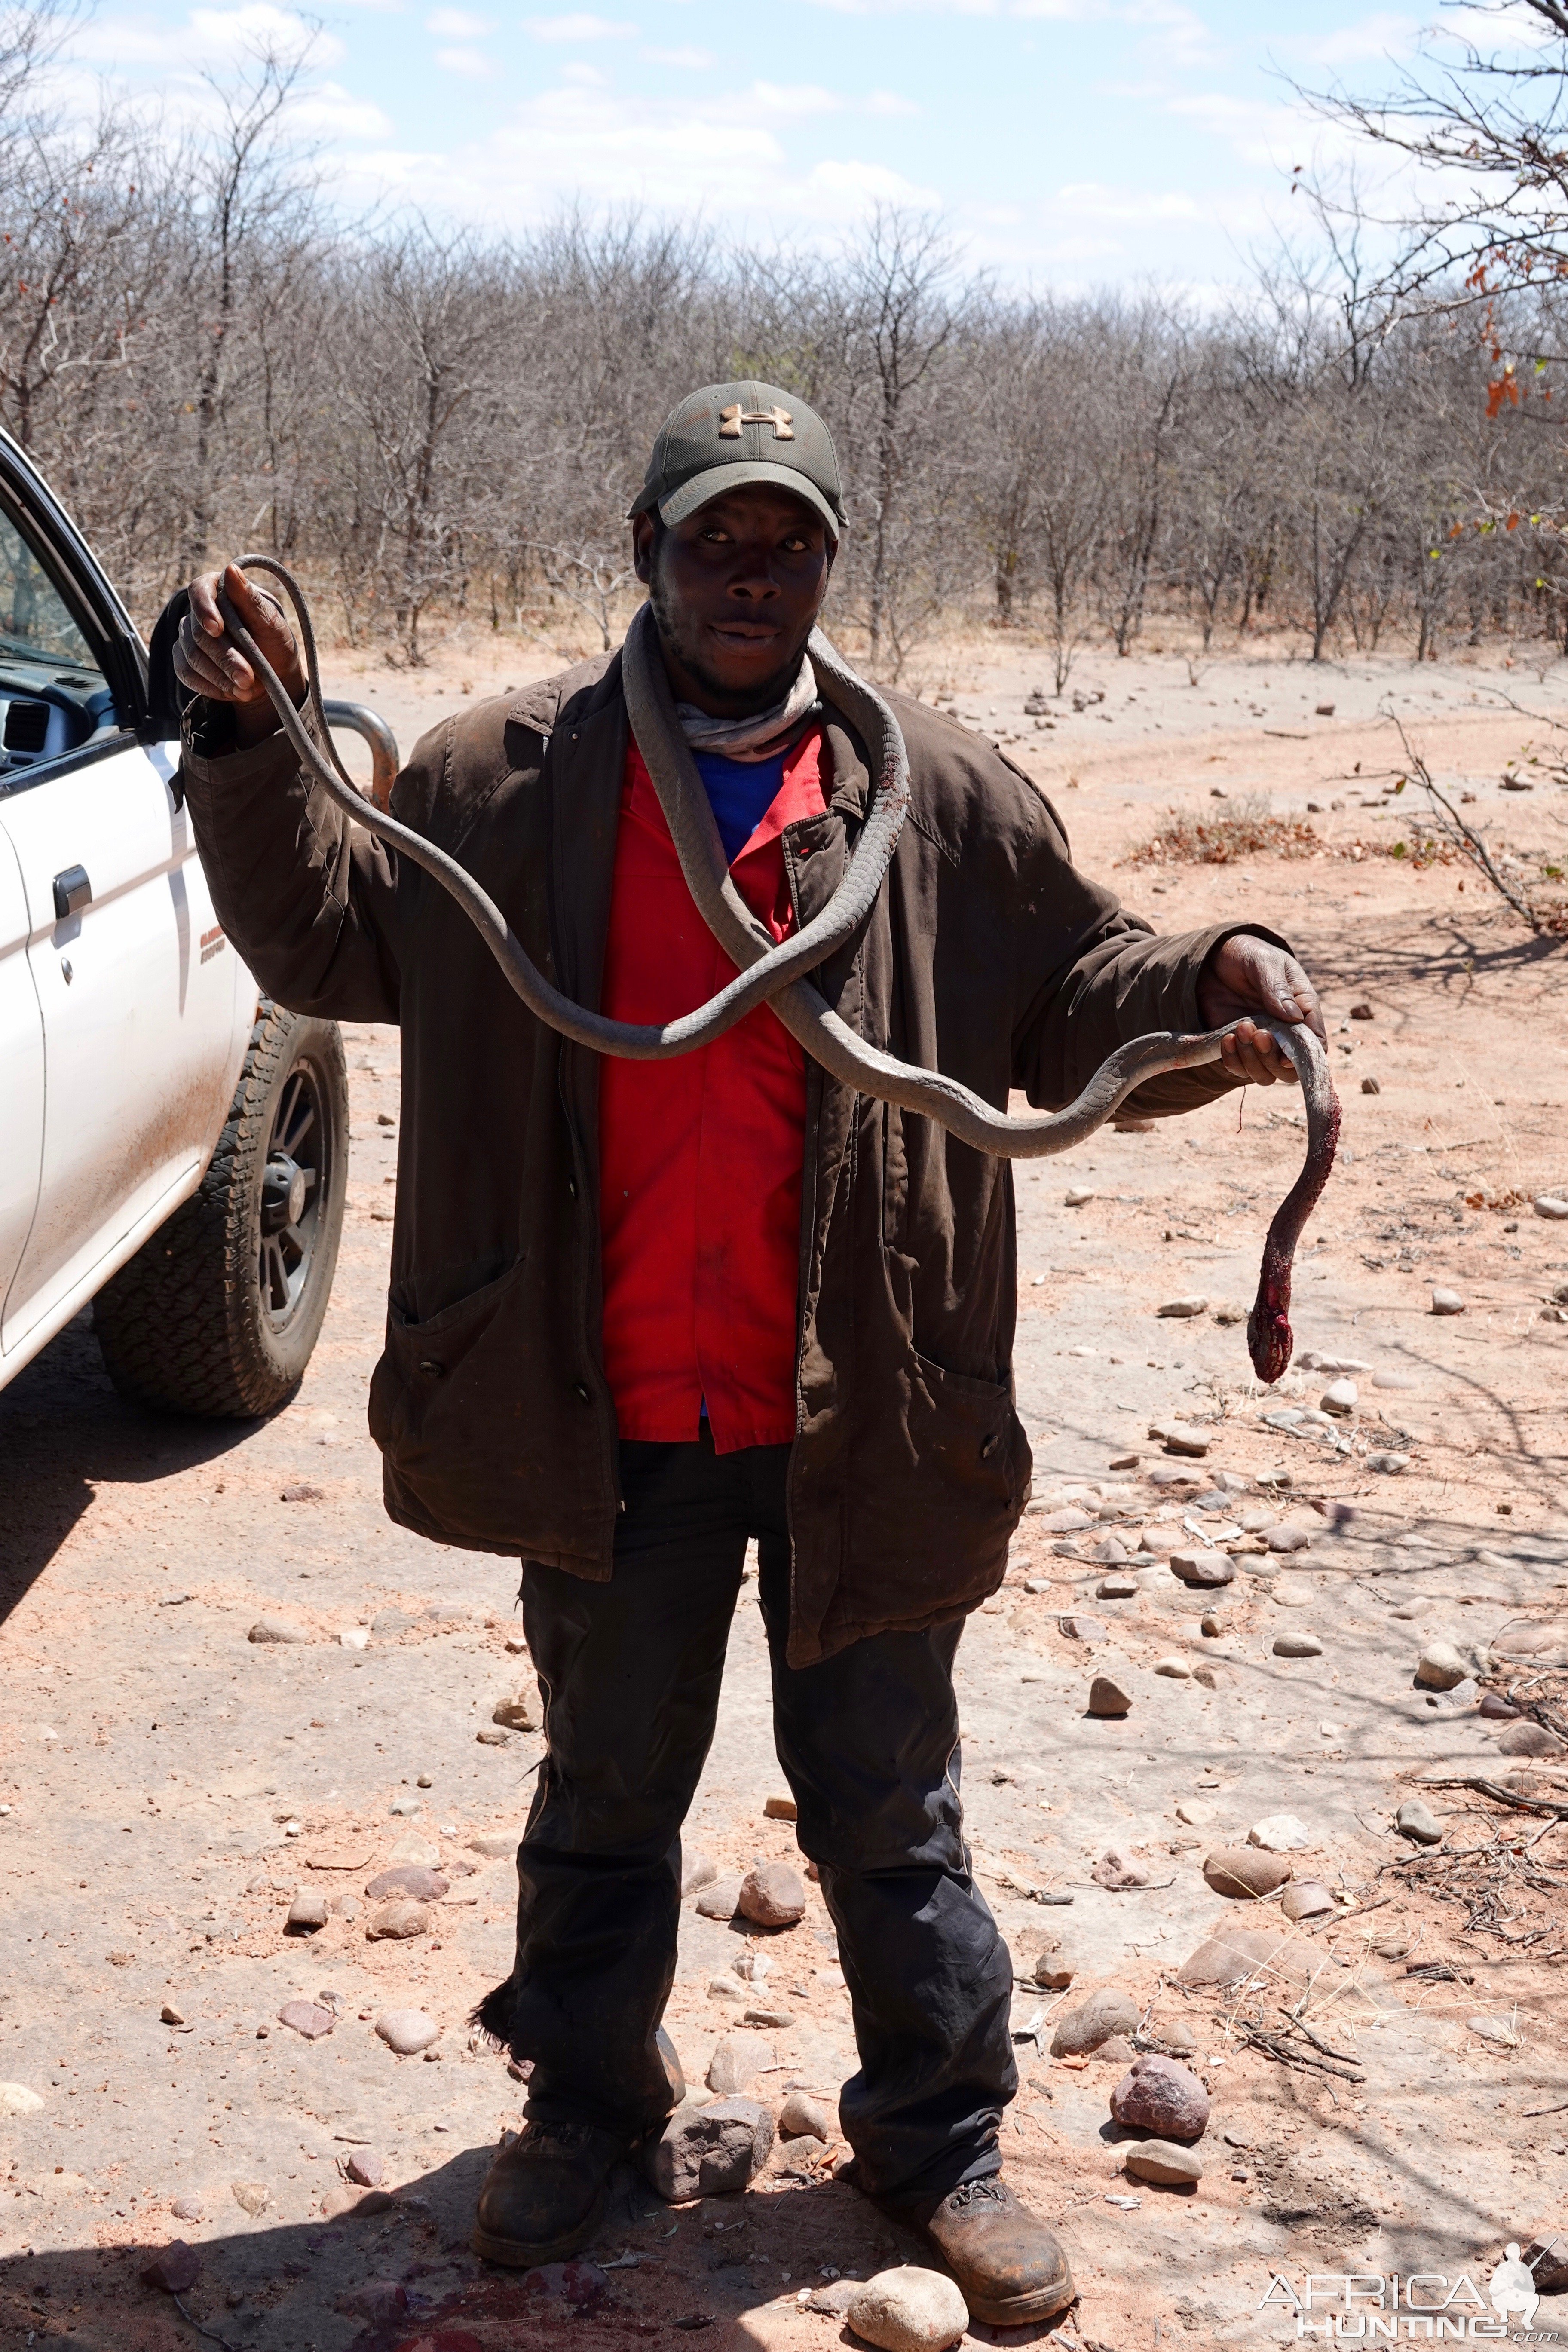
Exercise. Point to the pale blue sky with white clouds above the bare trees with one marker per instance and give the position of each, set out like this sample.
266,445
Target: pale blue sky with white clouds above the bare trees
1068,142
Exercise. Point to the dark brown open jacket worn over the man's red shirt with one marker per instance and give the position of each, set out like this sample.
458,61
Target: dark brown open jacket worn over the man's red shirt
989,956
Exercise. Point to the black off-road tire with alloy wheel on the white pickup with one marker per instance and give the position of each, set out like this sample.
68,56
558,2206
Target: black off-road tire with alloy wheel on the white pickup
220,1309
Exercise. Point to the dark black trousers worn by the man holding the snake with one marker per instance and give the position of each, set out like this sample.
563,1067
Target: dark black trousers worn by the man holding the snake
871,1749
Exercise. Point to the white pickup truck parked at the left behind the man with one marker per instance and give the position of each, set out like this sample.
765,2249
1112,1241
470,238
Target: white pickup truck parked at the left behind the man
173,1147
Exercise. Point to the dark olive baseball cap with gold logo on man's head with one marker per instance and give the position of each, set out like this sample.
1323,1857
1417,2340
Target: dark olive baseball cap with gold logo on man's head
735,434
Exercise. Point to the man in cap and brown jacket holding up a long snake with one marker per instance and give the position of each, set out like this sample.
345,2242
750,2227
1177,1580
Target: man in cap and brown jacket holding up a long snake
648,1311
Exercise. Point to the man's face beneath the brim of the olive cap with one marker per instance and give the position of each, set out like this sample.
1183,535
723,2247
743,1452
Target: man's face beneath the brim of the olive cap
737,592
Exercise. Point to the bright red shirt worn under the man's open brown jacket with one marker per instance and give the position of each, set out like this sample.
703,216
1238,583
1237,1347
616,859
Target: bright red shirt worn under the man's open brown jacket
702,1156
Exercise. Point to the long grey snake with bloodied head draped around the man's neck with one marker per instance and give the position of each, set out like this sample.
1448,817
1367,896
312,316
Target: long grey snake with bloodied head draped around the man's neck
777,973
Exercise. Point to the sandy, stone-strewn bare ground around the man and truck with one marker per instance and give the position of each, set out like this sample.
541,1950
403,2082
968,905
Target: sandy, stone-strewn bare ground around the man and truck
170,1786
